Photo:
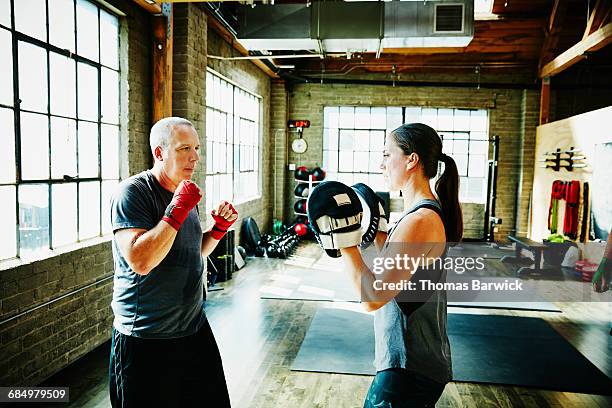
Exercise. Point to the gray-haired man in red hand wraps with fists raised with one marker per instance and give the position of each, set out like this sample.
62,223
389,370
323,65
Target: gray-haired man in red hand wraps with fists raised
163,352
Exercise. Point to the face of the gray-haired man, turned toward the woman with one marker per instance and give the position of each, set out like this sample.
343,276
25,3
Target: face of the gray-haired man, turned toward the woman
182,155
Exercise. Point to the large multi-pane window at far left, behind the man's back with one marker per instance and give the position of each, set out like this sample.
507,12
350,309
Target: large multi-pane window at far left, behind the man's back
59,122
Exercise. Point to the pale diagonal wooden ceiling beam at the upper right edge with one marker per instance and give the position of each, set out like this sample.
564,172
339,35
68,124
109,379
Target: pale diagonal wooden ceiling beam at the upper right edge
578,52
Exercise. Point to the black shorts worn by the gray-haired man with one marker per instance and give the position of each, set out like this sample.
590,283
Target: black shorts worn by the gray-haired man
181,372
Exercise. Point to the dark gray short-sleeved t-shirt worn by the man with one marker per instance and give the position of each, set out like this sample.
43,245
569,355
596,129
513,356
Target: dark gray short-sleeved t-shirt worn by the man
168,301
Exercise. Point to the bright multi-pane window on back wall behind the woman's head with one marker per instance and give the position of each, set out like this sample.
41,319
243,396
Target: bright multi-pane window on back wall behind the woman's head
353,140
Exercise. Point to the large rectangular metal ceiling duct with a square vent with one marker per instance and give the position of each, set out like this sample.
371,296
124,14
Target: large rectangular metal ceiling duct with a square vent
357,26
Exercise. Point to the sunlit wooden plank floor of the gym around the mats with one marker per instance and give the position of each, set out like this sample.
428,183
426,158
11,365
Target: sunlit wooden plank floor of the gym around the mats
259,339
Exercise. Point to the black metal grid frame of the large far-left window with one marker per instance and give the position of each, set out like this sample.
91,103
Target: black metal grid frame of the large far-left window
18,38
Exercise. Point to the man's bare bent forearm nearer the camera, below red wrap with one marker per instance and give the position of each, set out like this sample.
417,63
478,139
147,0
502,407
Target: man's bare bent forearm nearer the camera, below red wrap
151,247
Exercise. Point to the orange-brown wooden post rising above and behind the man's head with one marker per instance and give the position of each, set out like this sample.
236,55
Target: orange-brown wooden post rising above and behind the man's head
162,63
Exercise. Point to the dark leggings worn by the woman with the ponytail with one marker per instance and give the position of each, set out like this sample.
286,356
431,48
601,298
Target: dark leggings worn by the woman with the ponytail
398,388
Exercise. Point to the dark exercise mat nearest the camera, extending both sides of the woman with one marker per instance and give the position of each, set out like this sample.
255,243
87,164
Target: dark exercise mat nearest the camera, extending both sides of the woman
508,350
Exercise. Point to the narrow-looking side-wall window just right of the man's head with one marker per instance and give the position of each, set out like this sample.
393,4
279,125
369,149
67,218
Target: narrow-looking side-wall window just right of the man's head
232,142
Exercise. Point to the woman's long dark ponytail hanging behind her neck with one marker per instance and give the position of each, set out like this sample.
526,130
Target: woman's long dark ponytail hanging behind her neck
447,189
